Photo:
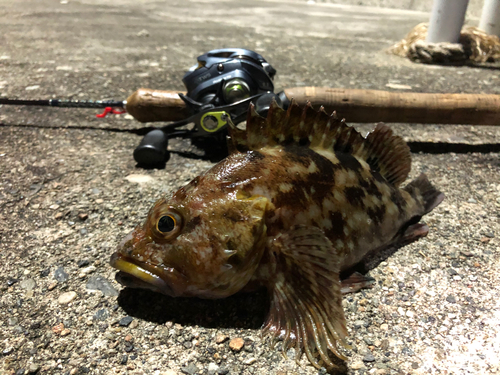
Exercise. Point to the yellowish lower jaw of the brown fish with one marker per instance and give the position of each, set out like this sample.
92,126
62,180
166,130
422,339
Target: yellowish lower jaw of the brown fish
140,276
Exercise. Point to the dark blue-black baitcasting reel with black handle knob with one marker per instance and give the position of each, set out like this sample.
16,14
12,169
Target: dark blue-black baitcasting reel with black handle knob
220,88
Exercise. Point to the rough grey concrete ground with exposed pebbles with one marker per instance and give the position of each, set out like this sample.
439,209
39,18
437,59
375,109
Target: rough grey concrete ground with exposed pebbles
69,191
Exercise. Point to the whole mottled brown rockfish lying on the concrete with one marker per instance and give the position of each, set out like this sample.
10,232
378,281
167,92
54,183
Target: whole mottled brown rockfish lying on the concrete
301,199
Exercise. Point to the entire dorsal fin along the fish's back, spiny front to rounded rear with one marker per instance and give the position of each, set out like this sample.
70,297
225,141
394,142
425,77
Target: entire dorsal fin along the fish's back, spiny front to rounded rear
385,152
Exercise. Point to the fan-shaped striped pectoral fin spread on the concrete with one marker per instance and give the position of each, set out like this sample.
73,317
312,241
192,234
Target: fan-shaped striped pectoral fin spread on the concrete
306,306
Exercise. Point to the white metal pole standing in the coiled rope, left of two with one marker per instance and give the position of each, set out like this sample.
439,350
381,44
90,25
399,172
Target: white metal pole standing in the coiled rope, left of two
446,21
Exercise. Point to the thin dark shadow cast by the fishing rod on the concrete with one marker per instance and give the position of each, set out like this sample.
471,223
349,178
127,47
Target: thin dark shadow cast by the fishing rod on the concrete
415,146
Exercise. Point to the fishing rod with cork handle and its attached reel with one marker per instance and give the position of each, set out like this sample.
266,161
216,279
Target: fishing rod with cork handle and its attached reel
224,83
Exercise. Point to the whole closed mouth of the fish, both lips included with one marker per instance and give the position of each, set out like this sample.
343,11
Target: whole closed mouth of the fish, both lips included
146,276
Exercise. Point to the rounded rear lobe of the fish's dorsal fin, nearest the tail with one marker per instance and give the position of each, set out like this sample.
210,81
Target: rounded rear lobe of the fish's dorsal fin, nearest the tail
387,154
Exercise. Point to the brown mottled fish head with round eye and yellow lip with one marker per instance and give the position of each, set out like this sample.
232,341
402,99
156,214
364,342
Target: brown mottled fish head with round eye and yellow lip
196,244
